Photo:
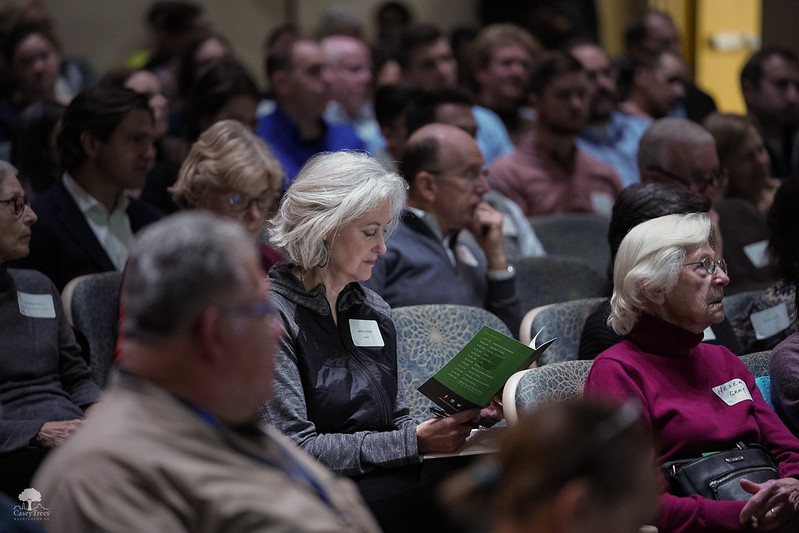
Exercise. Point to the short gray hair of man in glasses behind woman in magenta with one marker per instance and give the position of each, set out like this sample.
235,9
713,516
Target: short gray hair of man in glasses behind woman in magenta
653,149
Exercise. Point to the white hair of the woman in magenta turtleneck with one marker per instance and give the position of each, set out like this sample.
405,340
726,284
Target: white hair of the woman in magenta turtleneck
651,256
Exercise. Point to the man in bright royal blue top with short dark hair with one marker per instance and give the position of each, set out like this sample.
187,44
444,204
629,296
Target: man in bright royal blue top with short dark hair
295,130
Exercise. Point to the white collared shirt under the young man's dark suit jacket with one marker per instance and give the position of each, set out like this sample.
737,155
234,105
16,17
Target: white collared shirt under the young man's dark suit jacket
112,230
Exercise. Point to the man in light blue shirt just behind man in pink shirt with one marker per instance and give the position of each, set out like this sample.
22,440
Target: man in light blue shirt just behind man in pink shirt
610,136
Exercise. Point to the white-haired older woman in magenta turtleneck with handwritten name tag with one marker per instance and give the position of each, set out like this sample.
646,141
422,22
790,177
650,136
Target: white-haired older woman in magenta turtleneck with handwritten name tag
696,398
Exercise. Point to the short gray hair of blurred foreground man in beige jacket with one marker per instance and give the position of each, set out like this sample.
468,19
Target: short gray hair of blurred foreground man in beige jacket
178,267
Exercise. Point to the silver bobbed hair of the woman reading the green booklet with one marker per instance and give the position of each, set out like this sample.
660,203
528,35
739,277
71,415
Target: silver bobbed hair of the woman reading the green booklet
331,190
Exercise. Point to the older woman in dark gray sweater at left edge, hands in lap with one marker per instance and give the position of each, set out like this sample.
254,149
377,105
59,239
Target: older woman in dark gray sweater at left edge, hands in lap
45,385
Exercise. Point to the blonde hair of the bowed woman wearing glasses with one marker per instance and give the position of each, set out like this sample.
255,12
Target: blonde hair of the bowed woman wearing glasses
227,157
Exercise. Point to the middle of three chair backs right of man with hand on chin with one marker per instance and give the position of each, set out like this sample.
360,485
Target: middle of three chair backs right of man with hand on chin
552,279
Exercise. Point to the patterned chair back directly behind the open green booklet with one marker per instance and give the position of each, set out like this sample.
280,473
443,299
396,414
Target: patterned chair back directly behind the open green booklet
428,336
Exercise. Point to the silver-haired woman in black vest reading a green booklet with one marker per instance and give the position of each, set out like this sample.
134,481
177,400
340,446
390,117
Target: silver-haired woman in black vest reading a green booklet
336,384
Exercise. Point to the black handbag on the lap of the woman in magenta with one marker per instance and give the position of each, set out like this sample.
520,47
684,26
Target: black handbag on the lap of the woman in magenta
716,476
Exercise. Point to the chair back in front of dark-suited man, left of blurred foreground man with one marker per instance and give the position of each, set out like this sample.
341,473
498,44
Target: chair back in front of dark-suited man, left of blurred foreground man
91,304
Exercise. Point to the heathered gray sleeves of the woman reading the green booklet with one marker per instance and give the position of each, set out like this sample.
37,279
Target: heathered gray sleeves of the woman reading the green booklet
346,454
